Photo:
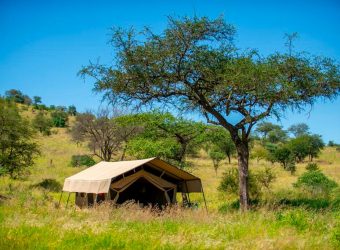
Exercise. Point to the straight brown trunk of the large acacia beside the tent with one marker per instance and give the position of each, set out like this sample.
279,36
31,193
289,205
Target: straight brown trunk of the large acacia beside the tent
243,160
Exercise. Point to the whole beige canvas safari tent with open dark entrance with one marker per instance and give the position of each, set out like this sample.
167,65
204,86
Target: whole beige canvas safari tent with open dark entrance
148,181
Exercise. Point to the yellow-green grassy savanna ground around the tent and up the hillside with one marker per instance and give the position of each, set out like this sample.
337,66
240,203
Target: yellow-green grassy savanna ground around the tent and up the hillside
30,219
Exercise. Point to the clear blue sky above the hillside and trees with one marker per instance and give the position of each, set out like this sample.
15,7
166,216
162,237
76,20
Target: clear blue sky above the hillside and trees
44,43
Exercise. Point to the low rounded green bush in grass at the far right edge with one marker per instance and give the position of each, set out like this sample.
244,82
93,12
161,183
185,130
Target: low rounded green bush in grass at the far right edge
316,183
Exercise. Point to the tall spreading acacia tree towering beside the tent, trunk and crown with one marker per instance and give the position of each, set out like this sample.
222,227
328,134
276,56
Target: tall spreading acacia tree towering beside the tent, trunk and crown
194,65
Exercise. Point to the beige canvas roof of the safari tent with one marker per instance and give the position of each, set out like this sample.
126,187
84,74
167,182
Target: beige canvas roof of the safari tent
97,179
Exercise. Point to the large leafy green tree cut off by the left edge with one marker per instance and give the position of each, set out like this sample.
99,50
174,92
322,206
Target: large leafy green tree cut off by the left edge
17,151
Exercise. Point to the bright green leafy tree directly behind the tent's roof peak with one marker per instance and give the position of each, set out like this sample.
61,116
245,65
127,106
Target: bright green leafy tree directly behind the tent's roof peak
182,135
